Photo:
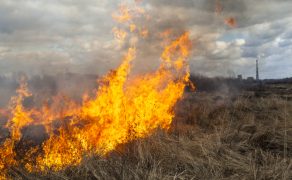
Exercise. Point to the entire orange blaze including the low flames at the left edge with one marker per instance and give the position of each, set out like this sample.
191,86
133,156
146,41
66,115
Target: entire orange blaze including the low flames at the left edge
125,107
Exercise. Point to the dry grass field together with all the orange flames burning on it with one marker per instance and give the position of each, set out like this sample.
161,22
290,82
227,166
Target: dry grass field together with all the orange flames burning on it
130,128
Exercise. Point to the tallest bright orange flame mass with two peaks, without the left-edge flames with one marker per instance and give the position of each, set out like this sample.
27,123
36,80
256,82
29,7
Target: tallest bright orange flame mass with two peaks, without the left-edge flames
123,109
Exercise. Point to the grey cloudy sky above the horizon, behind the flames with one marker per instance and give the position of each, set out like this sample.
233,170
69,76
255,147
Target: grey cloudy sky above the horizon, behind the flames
53,36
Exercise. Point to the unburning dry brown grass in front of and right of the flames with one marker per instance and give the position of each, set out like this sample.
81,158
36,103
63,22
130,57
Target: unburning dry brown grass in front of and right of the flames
242,133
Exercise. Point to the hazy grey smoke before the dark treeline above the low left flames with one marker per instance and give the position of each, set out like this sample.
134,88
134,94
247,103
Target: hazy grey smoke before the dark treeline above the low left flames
45,87
